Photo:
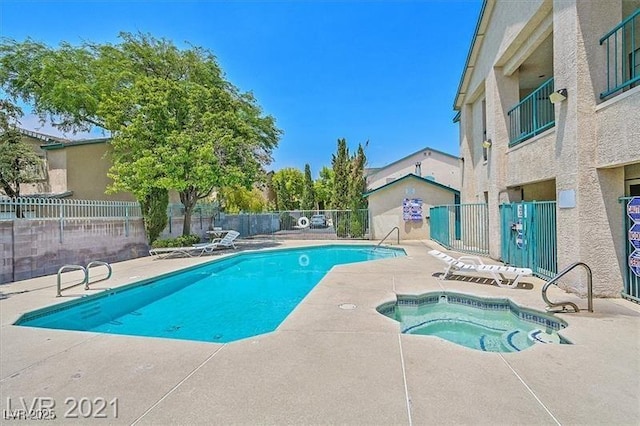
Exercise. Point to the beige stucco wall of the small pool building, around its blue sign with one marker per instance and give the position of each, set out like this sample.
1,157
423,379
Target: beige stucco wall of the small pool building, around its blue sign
385,208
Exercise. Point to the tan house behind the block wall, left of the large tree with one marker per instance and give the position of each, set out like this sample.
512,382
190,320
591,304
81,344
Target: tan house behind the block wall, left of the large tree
71,169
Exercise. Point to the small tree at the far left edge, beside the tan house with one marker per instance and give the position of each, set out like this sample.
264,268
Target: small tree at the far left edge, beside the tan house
18,162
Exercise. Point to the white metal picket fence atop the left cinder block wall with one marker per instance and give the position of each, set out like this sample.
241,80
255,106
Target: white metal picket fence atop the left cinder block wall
55,208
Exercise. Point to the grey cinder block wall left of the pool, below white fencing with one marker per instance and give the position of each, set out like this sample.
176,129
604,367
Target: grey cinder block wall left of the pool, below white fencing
33,248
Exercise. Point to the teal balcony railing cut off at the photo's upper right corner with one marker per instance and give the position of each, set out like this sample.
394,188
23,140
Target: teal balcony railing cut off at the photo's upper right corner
623,55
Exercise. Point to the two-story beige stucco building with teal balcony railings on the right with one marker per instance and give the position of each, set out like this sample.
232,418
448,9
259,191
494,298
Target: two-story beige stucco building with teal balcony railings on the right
549,110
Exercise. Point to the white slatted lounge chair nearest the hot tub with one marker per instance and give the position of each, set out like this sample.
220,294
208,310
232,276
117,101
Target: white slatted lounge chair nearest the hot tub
475,264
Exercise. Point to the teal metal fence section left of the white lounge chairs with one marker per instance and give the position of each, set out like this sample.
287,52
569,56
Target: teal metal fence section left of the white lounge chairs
461,227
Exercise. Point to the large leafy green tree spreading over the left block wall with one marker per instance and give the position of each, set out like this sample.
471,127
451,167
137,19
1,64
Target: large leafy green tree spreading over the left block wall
176,122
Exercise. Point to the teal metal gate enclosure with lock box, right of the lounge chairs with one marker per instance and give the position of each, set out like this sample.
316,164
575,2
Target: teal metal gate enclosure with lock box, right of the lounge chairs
528,236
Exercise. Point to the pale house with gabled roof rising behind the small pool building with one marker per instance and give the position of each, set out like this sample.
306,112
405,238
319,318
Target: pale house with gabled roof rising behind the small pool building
427,163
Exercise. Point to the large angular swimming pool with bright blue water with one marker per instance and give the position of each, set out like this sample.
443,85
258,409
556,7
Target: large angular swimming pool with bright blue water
221,301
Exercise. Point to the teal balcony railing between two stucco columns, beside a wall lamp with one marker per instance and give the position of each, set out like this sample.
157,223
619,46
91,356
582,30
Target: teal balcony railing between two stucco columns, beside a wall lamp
532,115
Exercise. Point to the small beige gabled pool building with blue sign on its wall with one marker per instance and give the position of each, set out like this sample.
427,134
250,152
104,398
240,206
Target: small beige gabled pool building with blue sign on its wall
405,203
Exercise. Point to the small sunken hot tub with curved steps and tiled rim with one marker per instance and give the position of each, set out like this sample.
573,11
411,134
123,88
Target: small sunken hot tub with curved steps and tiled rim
491,325
